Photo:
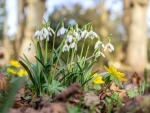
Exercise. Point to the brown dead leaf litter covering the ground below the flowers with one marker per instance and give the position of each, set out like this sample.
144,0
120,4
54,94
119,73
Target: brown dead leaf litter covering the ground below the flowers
73,95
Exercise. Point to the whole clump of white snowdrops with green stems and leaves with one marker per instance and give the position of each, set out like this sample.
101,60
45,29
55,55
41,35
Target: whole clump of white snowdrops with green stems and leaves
50,75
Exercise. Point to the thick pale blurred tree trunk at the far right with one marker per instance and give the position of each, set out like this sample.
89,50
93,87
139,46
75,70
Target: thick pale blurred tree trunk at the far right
137,35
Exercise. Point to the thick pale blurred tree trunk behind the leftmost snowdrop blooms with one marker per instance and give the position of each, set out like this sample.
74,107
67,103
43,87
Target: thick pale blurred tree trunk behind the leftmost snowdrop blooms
34,17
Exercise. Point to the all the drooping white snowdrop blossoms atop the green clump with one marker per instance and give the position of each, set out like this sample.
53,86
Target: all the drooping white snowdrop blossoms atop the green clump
72,36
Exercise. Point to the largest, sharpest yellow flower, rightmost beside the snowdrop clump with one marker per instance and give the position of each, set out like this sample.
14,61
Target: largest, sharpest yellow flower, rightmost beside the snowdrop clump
113,72
